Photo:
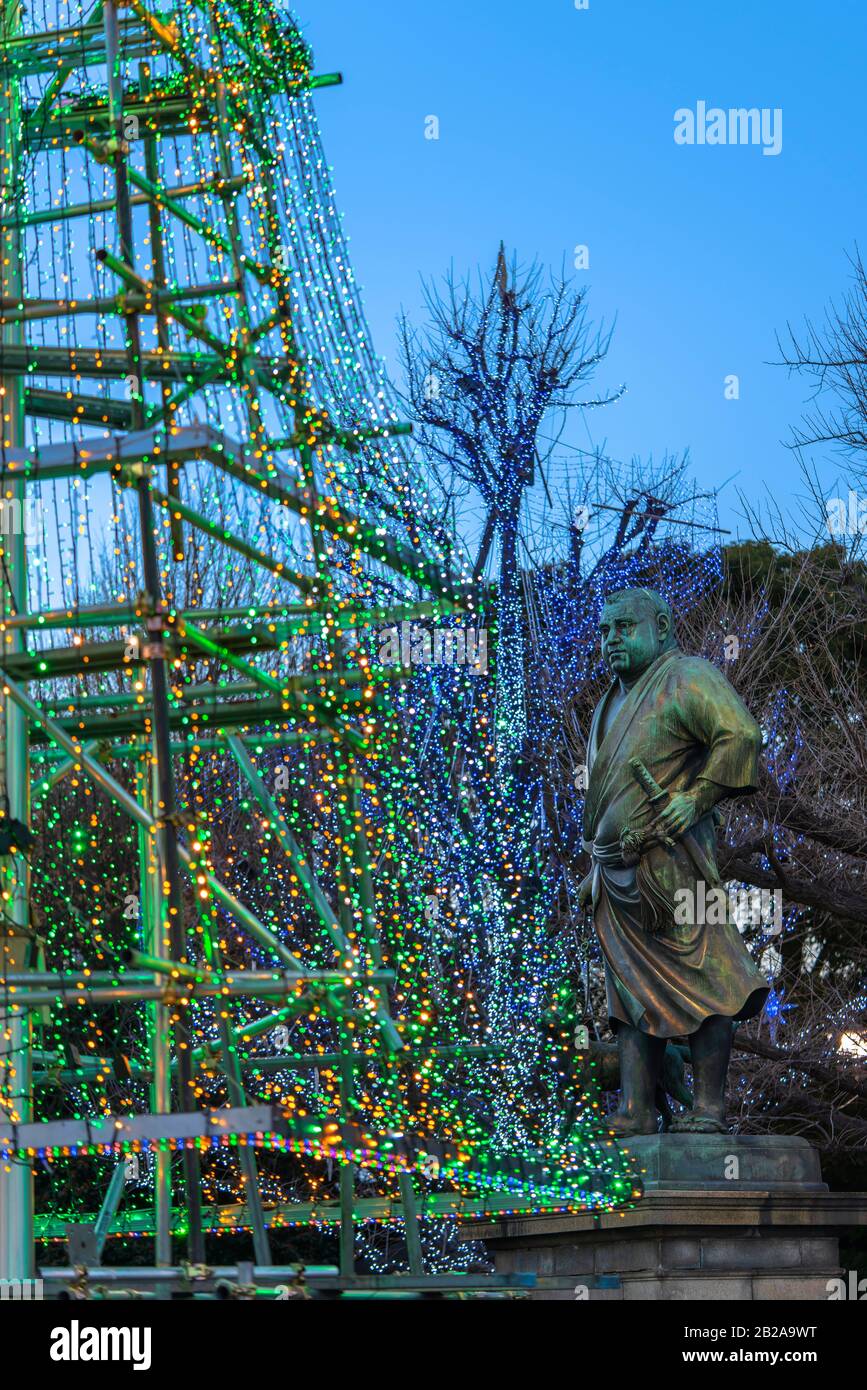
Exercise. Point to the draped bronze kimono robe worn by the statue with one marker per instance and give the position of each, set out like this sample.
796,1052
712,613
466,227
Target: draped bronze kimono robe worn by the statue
683,721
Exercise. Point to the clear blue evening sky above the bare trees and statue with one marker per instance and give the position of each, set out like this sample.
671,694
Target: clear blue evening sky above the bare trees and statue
556,130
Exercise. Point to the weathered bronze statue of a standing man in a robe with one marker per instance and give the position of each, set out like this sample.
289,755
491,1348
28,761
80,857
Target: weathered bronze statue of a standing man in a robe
669,742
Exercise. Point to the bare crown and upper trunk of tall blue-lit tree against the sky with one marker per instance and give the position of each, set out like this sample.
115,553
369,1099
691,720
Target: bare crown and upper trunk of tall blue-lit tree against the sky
497,361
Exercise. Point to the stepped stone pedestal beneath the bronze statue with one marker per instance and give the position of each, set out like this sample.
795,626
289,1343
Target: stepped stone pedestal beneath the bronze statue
737,1218
